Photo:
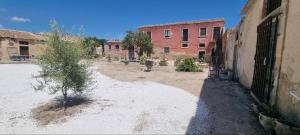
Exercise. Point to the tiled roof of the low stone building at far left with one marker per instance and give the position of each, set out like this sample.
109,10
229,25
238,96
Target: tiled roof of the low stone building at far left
6,33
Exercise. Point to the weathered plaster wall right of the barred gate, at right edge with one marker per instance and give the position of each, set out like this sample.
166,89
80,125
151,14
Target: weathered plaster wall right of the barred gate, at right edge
288,92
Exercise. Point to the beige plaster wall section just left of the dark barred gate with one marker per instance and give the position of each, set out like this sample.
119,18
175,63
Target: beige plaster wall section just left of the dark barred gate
247,45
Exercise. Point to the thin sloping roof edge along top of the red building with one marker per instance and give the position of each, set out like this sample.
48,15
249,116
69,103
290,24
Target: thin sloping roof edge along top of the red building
187,22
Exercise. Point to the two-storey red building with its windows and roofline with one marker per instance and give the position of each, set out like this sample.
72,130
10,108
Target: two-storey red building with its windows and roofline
193,38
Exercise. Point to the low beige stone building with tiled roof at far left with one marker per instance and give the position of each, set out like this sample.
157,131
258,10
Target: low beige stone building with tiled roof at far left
19,45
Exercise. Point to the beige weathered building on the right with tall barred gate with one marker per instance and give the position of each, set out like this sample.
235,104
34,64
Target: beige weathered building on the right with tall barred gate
267,54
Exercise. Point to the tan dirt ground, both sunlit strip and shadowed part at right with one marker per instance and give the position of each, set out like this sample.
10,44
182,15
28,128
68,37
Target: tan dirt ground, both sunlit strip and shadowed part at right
227,103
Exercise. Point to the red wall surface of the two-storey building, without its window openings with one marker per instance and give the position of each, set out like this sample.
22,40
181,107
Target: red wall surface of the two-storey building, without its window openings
175,41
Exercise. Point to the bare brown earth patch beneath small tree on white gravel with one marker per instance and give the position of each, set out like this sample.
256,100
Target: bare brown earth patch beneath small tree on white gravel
55,111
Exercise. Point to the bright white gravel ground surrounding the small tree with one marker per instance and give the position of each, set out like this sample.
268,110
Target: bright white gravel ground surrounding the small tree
131,107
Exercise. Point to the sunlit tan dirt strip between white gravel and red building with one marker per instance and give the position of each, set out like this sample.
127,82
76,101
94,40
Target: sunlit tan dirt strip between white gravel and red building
190,82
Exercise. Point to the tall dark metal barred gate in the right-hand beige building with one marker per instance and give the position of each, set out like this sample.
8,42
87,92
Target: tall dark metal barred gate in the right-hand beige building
262,84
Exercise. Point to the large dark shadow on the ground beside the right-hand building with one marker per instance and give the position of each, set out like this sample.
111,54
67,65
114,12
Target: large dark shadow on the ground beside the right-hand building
229,111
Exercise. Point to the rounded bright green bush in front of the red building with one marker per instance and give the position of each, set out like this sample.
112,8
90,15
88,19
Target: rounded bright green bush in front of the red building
188,65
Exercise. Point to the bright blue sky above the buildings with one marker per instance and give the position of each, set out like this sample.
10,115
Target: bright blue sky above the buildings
112,18
